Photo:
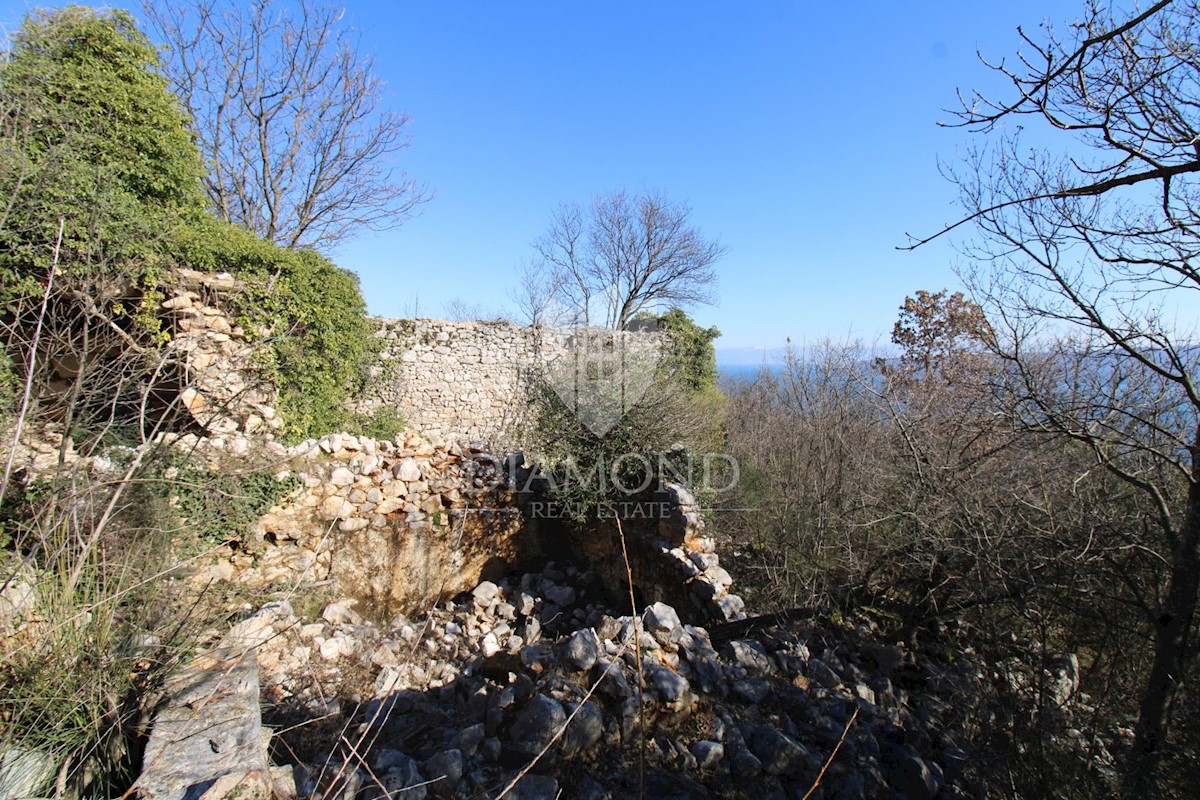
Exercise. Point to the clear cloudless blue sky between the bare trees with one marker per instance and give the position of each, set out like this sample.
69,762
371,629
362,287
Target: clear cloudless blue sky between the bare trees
805,137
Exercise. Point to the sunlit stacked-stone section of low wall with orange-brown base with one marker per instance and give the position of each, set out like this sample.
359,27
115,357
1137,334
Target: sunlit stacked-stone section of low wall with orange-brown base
440,512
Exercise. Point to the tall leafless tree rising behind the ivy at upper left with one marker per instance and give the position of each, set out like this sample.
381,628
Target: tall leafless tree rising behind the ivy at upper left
290,117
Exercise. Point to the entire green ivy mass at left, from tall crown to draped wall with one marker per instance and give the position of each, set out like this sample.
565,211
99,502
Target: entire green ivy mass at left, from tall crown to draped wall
92,139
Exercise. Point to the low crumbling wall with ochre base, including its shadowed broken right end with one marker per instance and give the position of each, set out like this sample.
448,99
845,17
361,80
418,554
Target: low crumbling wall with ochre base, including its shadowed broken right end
400,526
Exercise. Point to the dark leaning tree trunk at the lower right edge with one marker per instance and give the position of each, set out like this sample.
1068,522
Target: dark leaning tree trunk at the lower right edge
1172,652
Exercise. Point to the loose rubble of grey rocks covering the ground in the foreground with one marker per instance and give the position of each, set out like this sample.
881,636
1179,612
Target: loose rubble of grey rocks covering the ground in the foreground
537,678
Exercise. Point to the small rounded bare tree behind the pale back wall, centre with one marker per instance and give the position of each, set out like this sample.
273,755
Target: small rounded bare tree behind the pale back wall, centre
623,255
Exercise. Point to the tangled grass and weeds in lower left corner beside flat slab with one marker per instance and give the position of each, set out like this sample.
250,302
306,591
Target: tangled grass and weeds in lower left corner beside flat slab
99,636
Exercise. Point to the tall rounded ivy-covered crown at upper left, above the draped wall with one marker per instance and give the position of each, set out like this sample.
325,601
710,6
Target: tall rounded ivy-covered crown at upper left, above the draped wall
92,137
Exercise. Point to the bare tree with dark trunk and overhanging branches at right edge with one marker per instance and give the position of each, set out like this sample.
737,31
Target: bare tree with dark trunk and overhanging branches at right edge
1102,238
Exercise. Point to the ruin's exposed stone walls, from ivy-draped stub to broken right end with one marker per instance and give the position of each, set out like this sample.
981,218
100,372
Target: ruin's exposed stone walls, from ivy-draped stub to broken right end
397,525
